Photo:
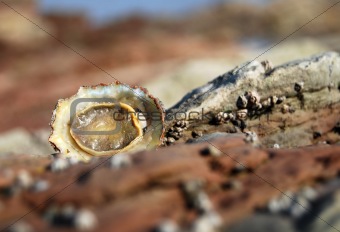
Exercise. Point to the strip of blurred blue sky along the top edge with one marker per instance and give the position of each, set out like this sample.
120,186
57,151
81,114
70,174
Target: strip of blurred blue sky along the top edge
103,10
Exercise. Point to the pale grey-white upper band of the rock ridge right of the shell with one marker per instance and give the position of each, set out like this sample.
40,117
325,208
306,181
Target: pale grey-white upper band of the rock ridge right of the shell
317,73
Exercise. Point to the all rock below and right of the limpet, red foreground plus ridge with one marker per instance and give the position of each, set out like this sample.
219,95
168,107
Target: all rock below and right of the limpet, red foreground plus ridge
264,170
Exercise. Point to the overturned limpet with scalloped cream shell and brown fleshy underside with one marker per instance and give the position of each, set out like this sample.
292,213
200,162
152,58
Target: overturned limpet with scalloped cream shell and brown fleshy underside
104,120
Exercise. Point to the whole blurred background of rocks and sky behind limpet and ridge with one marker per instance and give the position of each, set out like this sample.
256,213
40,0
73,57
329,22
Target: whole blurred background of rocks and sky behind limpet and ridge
50,48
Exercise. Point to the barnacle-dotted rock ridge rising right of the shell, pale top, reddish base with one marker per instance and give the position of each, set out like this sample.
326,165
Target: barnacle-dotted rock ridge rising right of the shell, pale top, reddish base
303,117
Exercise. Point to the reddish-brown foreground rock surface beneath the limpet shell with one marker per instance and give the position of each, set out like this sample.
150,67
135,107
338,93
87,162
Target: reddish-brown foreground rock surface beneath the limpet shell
139,197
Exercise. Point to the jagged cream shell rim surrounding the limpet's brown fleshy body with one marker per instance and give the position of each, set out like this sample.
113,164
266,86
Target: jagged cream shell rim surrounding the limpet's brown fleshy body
61,138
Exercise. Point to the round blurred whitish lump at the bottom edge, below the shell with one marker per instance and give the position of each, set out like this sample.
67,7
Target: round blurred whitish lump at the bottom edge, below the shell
85,220
